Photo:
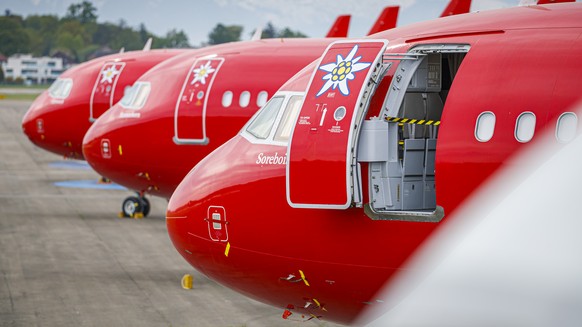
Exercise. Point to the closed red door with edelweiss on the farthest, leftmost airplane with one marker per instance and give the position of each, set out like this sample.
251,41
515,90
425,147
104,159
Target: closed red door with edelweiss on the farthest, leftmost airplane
104,89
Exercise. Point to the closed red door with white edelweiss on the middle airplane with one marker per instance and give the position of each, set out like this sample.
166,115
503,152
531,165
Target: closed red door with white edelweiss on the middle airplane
190,113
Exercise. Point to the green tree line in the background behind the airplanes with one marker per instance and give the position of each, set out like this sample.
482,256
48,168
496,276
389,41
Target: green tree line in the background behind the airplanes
80,37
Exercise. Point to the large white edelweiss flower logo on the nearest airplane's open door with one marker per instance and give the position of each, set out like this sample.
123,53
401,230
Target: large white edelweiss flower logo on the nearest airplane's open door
341,72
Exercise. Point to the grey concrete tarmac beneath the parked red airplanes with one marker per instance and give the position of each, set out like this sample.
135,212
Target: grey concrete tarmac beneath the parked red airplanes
66,259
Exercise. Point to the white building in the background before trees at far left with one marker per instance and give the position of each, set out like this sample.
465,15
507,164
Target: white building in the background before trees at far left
32,70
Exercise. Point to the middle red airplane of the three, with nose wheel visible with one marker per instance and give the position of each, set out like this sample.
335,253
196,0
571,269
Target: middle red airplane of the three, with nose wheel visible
226,104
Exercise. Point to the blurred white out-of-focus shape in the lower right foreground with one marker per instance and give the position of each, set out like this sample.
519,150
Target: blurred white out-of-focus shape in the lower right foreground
528,274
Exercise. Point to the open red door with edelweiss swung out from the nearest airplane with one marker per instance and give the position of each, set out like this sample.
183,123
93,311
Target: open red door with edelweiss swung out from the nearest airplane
321,168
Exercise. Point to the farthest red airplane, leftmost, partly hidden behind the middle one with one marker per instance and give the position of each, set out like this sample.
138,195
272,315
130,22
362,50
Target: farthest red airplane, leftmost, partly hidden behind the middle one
59,117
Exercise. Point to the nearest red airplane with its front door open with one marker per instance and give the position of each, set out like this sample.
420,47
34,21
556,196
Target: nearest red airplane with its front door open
330,188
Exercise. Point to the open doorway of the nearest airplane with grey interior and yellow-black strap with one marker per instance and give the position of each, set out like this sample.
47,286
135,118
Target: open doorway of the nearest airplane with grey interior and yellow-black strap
401,170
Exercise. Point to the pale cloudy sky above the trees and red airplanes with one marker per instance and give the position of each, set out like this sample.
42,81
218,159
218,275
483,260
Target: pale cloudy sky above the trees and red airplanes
198,17
